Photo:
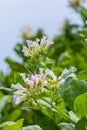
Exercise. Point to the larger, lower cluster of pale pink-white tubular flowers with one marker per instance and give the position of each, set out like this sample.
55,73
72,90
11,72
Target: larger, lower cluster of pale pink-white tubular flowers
34,85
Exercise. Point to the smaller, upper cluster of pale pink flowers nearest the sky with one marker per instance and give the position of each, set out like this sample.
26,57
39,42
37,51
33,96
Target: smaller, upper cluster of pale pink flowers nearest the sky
36,47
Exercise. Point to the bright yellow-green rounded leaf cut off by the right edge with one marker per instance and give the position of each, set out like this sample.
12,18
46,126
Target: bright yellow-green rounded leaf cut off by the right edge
80,105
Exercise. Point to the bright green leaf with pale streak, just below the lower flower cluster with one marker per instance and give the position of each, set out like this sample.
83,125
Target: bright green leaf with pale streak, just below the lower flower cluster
54,109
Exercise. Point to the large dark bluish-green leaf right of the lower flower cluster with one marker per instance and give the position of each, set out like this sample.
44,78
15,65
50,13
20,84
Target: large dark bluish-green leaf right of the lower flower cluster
71,89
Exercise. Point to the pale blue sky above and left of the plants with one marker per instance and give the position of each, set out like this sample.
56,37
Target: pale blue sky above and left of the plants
15,14
